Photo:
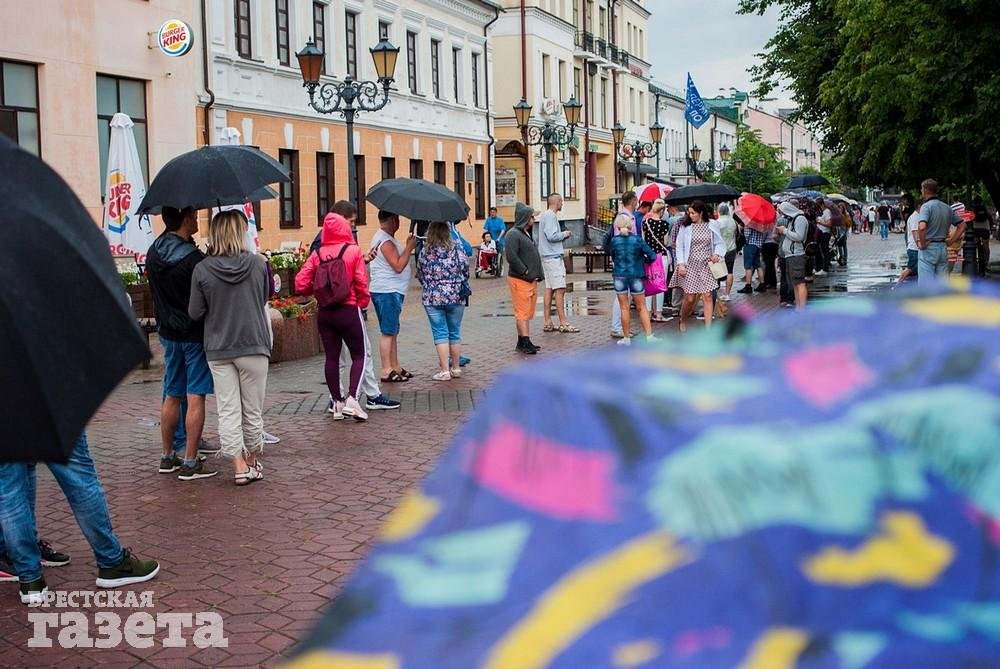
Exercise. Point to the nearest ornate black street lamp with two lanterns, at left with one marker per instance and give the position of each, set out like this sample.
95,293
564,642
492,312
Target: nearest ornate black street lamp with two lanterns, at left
349,96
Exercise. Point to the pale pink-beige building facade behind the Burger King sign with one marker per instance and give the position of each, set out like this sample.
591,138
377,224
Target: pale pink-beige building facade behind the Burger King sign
69,65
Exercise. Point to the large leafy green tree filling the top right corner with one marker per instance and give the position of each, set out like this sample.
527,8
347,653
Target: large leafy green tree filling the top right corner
902,90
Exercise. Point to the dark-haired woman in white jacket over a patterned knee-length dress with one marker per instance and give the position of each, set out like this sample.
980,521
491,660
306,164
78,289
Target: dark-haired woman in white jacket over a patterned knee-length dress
699,243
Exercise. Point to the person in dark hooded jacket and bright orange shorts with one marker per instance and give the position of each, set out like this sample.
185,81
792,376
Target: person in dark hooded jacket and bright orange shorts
524,272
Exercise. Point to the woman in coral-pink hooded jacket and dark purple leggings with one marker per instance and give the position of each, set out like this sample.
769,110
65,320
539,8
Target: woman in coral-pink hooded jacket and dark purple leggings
340,323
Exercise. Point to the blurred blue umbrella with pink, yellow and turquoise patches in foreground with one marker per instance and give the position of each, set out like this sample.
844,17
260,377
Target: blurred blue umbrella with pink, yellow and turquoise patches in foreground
821,491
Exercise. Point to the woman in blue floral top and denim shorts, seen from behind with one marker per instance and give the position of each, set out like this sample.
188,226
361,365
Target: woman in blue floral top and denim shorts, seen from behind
443,271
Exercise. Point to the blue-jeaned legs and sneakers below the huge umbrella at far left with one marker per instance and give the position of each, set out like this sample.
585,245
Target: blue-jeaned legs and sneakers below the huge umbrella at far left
116,566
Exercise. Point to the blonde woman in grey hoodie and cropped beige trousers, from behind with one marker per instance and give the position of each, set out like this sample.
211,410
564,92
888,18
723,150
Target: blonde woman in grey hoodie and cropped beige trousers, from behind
229,289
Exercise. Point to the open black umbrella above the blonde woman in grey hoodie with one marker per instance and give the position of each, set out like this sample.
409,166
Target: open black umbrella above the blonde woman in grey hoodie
213,176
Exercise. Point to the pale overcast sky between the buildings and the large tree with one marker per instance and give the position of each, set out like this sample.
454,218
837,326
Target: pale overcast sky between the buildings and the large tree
719,56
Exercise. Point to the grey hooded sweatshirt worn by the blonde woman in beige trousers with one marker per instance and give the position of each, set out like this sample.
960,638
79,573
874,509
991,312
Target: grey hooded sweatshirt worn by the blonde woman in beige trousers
229,292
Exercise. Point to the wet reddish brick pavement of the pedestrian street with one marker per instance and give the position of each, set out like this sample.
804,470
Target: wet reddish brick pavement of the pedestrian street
269,556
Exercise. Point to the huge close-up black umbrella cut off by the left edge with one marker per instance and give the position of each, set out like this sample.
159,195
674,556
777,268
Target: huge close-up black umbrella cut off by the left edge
67,332
